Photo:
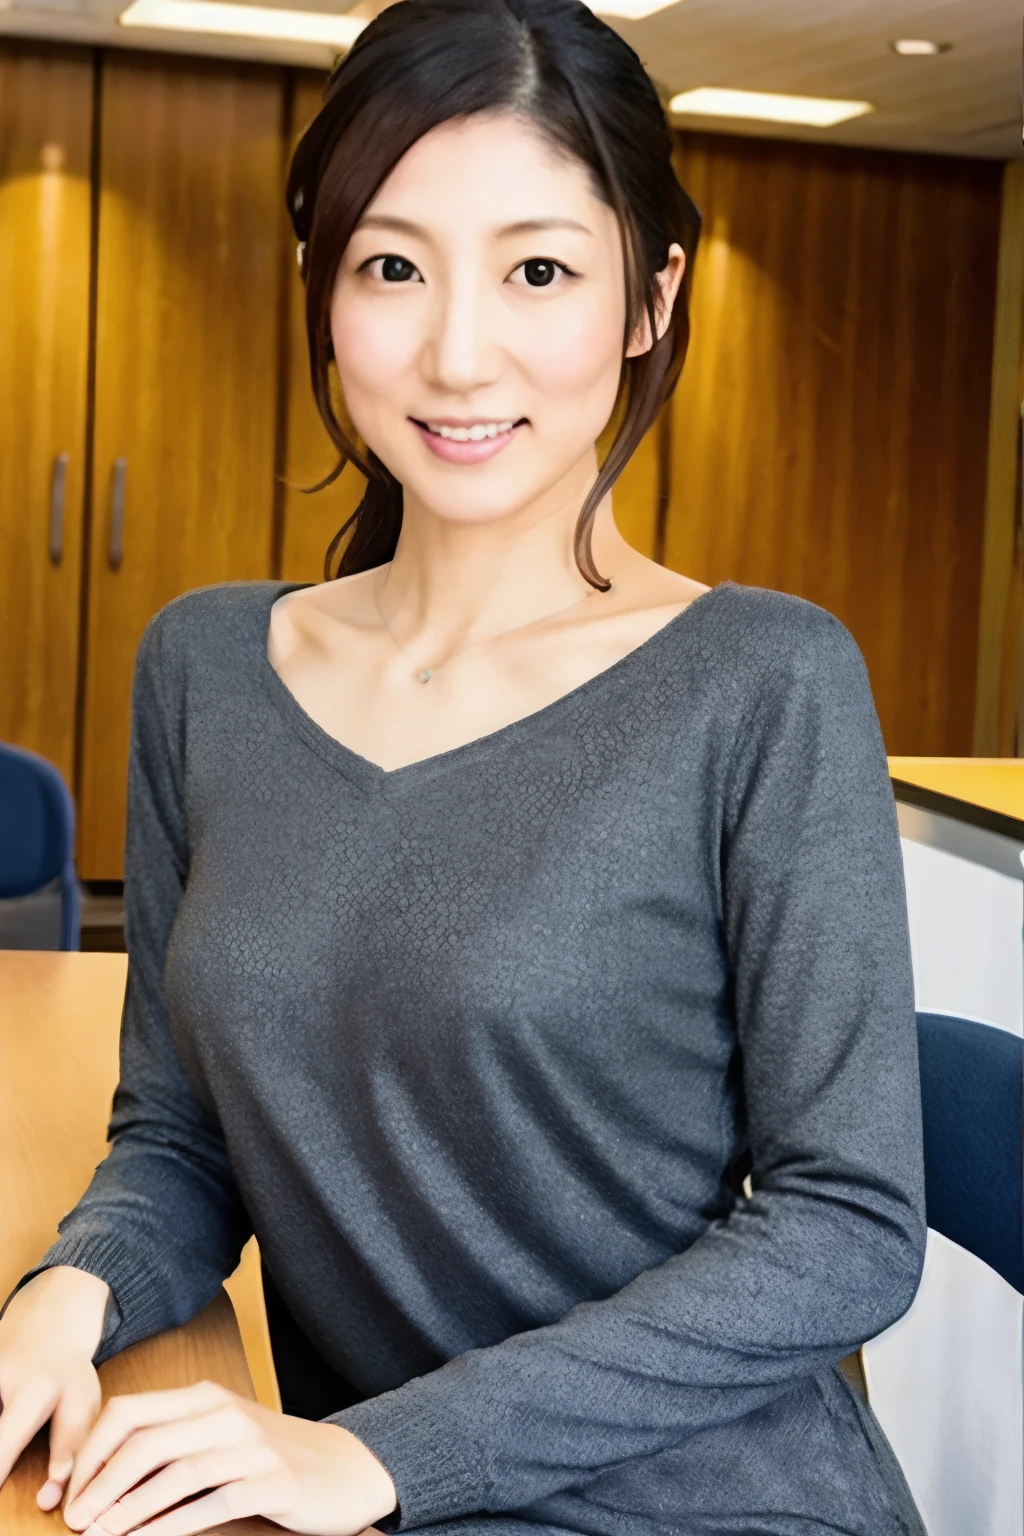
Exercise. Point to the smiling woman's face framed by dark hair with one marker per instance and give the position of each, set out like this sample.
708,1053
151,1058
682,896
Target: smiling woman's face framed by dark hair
478,320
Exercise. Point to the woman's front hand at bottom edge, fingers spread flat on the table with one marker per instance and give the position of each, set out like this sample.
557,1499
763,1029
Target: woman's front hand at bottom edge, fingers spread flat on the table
154,1449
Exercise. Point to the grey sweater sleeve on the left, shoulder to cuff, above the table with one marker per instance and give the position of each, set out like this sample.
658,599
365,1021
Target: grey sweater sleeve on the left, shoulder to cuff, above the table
162,1222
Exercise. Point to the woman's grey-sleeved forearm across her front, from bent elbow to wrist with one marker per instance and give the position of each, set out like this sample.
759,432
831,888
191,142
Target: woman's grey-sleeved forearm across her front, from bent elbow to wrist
781,1291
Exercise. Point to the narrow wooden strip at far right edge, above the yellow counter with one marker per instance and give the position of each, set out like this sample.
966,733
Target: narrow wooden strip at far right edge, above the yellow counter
1003,560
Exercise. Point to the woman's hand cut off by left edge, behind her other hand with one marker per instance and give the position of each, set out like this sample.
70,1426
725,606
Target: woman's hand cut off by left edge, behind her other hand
48,1337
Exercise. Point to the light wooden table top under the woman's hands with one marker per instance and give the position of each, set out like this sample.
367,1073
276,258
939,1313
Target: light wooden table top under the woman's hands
59,1030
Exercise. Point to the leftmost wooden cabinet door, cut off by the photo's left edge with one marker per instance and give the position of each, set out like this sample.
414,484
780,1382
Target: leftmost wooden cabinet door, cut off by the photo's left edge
45,207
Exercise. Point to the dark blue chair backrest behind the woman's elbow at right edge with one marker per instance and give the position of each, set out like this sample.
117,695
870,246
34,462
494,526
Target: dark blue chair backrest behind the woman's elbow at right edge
973,1101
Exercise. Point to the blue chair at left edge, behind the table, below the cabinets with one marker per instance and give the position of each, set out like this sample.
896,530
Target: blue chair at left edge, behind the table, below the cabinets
38,836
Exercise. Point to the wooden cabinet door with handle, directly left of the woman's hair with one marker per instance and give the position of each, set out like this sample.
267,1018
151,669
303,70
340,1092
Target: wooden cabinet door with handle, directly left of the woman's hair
188,297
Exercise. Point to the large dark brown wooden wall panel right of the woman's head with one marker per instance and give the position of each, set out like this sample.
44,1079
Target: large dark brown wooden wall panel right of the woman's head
831,428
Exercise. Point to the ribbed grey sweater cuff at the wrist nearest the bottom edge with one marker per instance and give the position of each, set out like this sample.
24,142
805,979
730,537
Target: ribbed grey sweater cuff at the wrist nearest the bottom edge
438,1474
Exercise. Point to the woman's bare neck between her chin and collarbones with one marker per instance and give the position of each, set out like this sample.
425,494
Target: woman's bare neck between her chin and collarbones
454,583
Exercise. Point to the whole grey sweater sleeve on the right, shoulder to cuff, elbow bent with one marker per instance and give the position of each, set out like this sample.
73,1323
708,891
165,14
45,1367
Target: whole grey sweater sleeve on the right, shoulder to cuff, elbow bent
830,1248
